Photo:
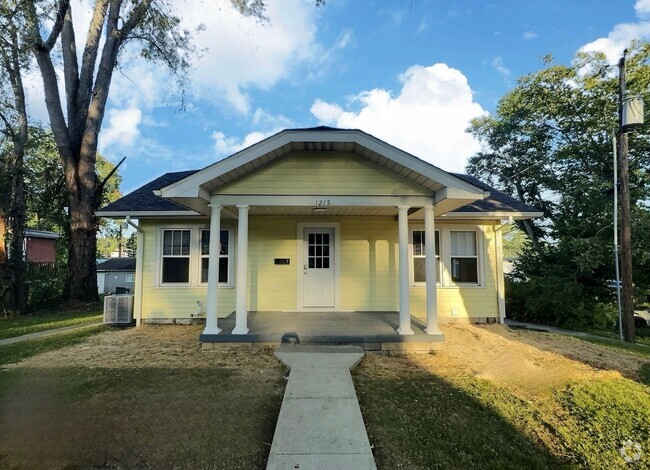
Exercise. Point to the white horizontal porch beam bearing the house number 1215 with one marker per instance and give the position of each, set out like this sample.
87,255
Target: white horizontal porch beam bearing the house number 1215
320,200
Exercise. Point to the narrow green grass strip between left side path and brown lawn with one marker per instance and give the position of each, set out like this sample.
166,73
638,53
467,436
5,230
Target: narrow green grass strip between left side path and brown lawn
11,353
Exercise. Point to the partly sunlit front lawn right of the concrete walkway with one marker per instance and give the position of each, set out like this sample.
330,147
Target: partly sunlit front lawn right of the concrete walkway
497,399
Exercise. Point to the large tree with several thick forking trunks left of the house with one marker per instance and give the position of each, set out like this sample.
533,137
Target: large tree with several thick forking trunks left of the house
147,29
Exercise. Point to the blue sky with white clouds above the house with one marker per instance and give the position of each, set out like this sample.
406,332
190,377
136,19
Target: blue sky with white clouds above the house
410,72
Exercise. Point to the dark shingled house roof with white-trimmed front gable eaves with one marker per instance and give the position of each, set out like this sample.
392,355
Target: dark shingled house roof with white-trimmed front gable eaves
187,193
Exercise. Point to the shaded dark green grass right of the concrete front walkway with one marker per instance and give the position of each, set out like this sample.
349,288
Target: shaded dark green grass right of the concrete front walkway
423,421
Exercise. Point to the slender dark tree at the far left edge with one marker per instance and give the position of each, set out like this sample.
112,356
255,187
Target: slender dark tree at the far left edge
14,61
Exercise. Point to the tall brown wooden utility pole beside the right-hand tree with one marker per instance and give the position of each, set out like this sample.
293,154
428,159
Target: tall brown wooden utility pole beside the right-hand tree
629,333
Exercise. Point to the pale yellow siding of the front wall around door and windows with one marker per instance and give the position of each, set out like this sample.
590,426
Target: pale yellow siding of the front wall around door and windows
368,272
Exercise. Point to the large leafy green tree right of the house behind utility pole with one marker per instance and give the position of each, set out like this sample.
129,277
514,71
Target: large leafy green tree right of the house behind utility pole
550,144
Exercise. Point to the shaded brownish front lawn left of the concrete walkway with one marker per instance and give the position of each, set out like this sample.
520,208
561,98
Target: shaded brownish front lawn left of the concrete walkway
145,397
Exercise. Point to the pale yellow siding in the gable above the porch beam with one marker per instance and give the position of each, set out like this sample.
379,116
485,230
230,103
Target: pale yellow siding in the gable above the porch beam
336,173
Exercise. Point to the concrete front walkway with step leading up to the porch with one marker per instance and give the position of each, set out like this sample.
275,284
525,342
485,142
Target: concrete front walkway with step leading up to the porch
320,424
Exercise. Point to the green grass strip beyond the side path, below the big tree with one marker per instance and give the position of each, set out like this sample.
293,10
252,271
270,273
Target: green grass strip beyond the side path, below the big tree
18,326
